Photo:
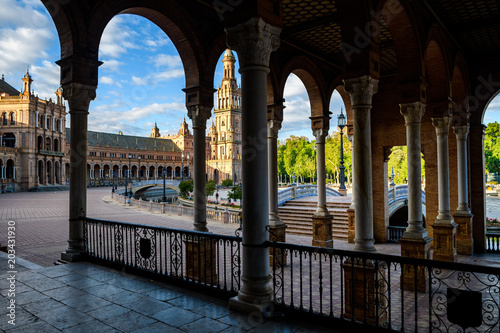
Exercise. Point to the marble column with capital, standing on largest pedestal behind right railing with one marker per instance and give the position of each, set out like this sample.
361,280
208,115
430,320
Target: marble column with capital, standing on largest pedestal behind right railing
361,91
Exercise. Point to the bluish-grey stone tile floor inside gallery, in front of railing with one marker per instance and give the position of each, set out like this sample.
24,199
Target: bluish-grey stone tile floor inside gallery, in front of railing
82,297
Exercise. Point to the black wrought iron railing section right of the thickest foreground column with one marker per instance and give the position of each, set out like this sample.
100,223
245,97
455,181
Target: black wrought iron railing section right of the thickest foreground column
383,292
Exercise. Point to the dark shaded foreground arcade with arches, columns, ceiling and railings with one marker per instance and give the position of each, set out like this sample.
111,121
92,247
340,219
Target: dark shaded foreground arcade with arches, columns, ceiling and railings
414,73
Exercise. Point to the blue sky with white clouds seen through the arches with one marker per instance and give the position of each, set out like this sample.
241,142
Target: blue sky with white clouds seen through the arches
142,76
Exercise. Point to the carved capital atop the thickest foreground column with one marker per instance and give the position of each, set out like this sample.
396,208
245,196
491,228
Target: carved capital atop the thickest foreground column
254,41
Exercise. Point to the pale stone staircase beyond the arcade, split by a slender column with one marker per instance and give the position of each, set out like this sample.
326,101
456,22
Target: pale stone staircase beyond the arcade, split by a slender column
297,215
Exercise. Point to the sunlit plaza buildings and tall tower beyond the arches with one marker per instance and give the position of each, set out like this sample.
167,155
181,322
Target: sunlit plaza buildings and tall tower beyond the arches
34,143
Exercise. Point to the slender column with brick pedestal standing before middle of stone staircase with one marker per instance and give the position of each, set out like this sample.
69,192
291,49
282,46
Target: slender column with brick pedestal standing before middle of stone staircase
322,220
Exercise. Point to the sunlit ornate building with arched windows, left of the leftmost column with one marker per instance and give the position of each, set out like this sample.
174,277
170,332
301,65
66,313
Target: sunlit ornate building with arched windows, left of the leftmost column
32,138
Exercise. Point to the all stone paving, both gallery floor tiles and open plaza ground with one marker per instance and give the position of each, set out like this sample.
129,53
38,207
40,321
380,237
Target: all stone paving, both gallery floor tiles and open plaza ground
79,297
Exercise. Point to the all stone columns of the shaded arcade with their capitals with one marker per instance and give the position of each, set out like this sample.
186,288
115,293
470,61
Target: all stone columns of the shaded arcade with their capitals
259,162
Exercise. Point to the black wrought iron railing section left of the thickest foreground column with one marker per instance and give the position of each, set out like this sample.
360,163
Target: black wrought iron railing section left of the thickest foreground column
208,260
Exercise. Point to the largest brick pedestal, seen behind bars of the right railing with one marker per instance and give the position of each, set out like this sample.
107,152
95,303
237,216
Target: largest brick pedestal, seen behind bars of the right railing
365,292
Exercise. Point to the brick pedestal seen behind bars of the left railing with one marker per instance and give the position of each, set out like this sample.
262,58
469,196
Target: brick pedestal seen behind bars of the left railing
201,260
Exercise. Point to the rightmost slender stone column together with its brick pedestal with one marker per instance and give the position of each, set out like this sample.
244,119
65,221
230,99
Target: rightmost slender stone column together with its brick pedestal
463,216
